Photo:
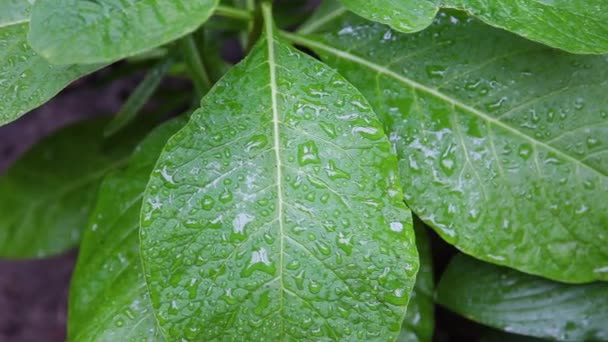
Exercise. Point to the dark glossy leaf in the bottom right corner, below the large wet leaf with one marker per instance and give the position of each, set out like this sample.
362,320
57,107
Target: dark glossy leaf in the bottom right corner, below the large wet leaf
524,304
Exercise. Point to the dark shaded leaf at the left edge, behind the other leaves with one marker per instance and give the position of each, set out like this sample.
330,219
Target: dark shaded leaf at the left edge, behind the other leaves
46,196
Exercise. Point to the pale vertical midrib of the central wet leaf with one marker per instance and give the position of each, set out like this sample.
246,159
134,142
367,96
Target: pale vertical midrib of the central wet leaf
275,122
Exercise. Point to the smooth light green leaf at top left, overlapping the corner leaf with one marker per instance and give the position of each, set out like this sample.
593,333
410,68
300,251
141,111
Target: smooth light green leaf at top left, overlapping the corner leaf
86,32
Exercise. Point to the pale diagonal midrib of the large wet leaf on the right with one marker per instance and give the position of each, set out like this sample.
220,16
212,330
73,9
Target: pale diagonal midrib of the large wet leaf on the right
421,87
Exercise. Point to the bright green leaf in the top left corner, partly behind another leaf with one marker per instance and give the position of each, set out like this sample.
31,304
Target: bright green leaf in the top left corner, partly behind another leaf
26,79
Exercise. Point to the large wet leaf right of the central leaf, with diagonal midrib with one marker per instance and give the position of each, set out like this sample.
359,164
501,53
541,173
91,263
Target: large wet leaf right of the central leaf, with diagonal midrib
502,142
